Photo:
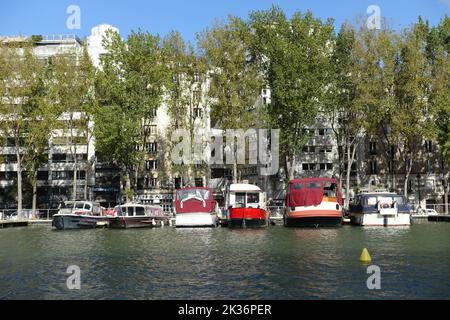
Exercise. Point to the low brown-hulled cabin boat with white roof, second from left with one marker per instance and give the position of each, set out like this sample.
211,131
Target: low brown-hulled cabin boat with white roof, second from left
134,215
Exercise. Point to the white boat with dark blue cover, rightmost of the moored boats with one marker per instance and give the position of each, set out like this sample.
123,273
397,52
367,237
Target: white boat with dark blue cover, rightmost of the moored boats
380,209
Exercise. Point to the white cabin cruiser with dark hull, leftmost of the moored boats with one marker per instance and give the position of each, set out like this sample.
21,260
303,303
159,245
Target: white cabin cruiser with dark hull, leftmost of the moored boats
78,215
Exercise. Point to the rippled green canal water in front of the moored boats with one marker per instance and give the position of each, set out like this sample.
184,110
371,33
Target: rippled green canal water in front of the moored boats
276,263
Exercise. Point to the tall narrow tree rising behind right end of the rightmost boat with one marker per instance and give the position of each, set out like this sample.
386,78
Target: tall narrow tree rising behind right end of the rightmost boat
412,83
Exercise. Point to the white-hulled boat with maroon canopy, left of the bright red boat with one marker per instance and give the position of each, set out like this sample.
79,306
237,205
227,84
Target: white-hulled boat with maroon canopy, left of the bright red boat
195,207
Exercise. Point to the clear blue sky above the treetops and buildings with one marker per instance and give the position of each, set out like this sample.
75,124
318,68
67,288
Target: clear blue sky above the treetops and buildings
188,17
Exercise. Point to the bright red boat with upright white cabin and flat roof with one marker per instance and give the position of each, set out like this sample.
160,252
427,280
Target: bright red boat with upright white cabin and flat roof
246,205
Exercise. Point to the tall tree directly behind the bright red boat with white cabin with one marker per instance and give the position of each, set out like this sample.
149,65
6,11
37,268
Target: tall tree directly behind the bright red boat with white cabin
235,81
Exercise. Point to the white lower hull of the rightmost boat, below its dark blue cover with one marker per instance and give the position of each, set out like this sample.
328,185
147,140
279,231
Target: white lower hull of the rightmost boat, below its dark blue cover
375,219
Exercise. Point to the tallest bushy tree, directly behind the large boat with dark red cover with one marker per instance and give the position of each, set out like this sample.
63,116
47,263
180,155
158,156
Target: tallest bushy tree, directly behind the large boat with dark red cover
295,55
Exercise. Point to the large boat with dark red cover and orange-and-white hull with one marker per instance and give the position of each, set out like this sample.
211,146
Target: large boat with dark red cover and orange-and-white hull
313,202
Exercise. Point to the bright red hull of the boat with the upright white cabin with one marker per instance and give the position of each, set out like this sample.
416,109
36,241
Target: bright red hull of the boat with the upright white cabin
247,218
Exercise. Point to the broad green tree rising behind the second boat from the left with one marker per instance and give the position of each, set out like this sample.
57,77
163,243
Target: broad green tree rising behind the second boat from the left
130,88
